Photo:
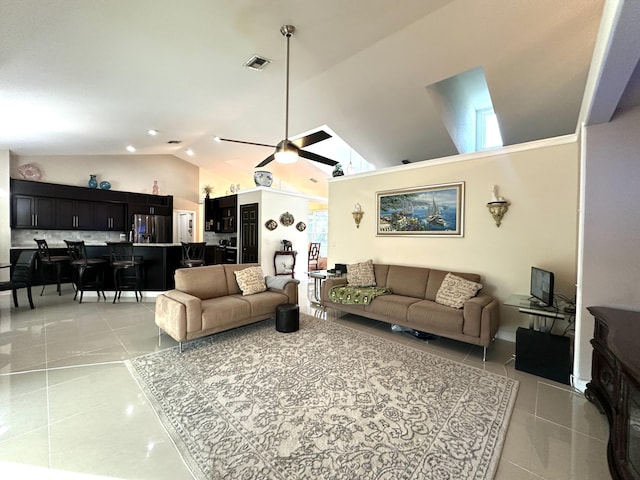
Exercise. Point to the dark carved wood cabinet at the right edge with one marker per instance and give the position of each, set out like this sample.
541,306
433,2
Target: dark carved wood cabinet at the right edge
615,385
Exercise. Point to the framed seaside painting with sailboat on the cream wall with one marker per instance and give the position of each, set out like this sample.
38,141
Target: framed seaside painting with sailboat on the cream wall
434,211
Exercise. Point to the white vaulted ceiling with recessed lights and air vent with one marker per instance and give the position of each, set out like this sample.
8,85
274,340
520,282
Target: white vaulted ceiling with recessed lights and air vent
82,77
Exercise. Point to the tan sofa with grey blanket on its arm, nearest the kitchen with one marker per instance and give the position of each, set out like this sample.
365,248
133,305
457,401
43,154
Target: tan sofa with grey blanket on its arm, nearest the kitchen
208,300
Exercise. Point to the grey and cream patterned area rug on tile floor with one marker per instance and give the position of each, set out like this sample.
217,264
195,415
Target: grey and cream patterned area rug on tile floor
326,402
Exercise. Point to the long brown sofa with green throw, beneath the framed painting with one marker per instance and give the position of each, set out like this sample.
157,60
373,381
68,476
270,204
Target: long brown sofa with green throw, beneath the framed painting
412,304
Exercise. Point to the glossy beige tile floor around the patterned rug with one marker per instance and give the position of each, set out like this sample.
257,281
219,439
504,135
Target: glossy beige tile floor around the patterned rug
69,409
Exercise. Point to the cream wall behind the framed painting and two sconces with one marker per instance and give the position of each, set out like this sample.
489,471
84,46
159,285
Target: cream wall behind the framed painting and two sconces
539,179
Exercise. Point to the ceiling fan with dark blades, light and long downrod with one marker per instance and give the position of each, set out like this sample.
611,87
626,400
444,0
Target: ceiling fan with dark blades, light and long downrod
287,151
